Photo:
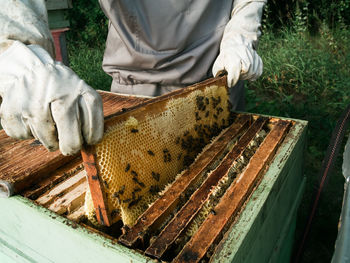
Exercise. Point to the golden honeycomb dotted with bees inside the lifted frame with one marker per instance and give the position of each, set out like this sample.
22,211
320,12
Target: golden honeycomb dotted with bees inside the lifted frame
140,155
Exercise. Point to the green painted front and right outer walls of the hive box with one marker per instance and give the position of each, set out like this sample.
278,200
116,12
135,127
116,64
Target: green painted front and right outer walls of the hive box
263,232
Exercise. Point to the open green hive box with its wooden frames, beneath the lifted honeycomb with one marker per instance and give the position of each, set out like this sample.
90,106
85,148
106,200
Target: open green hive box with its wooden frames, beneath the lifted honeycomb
252,202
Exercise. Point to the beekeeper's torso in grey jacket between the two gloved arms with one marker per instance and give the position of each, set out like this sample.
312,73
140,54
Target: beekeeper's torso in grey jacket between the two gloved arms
159,41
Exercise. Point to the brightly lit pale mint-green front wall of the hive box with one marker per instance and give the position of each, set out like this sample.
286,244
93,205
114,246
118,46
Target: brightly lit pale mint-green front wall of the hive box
43,236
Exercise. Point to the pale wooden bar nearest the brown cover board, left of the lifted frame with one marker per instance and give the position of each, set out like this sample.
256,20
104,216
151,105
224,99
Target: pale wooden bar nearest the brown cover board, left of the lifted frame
62,189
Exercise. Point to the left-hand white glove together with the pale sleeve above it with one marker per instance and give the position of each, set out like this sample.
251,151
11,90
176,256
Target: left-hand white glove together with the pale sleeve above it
41,97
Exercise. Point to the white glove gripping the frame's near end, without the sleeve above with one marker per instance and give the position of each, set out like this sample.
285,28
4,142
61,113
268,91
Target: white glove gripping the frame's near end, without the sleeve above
47,100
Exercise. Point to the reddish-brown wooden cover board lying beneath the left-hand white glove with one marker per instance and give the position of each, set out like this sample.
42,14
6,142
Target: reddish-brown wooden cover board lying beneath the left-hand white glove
24,162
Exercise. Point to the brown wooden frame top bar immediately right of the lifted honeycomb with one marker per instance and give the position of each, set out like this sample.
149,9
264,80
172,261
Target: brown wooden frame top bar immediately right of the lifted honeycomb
170,198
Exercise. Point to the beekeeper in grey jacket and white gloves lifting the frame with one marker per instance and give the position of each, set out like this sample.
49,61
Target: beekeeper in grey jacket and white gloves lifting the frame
153,47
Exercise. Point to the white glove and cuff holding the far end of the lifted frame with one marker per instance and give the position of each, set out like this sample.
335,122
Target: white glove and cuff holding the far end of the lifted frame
237,49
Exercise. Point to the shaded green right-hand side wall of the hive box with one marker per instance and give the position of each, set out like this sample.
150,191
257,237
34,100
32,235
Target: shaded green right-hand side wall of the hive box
253,237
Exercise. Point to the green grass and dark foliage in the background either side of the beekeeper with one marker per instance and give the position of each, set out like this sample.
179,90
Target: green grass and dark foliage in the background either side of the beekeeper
306,53
